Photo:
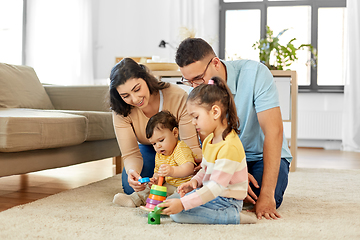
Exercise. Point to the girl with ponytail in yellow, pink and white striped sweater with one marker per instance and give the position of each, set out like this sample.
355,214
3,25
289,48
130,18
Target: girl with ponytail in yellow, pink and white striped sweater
215,194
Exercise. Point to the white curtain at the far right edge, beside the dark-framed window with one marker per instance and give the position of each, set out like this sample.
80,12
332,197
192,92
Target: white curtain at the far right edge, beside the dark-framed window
351,120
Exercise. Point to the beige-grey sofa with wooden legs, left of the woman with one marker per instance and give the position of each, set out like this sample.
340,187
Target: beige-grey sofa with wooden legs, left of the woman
50,126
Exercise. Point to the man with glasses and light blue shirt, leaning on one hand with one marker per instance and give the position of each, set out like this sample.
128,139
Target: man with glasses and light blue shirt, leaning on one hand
256,98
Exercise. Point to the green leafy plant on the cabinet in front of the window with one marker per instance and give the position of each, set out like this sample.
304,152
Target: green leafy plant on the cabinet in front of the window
285,54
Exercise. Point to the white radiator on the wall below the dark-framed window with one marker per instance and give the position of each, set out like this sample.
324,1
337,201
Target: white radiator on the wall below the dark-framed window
322,125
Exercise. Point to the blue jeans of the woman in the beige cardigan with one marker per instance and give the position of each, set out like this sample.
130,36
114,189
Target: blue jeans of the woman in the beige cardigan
148,154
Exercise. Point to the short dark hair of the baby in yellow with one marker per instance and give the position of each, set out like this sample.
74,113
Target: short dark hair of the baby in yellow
161,120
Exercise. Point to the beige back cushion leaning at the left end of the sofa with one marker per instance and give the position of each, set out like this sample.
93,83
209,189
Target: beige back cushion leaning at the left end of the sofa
21,88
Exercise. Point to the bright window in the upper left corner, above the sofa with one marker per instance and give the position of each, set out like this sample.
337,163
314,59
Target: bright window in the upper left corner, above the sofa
11,31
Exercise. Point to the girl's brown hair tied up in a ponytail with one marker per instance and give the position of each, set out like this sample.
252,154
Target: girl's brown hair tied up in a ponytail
218,93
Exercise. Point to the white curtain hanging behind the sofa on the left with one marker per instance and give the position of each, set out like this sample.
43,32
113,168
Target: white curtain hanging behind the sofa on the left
59,41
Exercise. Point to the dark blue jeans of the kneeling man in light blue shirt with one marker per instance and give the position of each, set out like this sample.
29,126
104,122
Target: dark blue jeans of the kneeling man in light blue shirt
256,168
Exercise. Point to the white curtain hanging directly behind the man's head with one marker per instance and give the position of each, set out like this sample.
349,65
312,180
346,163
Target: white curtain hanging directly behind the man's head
196,18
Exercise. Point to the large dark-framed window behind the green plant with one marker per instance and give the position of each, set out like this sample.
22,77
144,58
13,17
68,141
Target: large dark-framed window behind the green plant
318,22
